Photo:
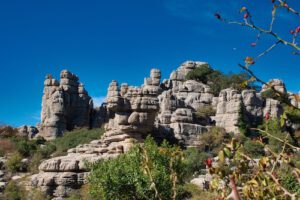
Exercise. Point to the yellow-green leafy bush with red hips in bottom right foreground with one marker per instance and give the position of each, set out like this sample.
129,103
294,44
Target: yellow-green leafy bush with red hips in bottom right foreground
262,178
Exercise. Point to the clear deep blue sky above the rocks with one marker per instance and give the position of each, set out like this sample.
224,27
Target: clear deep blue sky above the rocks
122,40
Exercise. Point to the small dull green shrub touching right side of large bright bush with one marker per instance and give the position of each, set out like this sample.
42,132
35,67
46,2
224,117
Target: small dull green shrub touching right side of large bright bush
194,161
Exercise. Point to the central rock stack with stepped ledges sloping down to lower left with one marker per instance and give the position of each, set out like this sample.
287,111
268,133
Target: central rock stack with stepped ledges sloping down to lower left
132,114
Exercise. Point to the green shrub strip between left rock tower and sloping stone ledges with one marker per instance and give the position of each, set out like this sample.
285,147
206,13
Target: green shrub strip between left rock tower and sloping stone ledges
74,138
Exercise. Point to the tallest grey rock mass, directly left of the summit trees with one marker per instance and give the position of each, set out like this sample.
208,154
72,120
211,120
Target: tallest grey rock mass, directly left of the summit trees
178,104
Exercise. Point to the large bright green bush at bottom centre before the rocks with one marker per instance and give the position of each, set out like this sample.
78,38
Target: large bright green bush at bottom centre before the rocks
145,172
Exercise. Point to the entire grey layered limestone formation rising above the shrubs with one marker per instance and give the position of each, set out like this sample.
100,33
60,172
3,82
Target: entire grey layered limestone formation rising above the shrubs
167,110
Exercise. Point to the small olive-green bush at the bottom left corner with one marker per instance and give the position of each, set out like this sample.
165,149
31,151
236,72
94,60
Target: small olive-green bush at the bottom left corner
14,192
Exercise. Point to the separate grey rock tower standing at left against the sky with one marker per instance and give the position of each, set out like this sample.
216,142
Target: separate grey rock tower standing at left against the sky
65,105
